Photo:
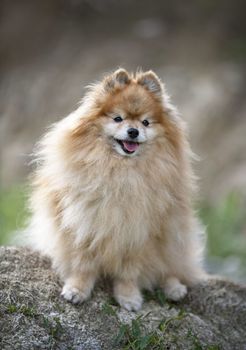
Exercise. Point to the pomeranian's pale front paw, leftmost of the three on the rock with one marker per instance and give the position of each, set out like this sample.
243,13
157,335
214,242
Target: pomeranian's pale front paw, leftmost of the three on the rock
78,287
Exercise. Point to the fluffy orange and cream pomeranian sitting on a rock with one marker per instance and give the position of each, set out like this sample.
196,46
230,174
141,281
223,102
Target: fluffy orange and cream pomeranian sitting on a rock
112,194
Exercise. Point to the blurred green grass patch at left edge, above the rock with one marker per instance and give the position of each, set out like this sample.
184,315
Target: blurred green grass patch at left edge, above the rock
13,211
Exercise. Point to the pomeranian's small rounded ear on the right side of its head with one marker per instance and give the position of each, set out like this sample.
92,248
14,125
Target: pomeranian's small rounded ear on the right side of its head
151,82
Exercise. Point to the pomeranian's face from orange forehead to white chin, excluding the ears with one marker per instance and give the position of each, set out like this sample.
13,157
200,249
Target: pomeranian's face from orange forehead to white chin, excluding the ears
131,121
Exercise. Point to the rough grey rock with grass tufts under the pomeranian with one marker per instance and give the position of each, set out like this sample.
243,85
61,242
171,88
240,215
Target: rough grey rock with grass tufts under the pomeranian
34,316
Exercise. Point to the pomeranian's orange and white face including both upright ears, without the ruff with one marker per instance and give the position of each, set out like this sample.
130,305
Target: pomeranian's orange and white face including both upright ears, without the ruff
132,115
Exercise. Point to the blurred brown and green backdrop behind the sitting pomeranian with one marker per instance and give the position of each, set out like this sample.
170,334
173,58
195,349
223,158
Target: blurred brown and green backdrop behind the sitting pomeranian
51,49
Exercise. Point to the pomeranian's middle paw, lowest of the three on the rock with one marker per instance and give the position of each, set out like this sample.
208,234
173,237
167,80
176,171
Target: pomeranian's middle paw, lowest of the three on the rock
127,294
